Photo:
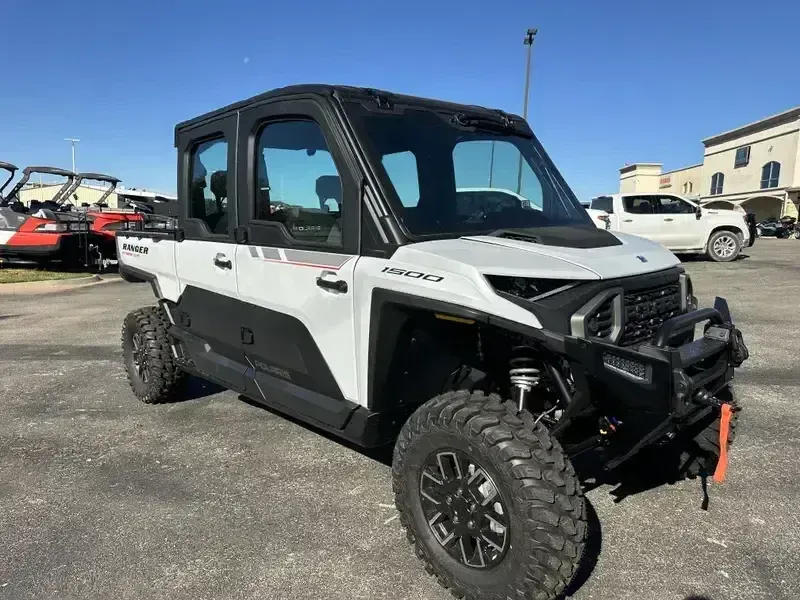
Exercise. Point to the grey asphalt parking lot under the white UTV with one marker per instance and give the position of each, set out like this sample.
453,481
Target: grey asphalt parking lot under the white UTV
102,497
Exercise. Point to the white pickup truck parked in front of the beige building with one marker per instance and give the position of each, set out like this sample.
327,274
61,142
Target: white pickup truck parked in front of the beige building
679,224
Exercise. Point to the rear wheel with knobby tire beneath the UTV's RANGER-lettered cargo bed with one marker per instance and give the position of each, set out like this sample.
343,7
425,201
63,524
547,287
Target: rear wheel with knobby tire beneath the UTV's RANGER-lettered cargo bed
152,374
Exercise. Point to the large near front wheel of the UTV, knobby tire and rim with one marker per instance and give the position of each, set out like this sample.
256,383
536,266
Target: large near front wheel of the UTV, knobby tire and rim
488,499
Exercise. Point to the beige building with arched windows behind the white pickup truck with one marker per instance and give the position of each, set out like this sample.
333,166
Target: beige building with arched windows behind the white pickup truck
756,166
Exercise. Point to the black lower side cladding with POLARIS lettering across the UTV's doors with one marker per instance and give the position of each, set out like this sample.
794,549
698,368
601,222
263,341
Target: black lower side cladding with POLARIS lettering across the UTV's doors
268,356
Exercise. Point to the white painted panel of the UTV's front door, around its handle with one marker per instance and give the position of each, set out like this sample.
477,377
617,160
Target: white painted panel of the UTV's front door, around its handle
285,281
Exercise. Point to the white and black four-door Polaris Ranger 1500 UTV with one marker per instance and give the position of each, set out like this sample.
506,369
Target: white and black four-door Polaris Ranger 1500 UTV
326,264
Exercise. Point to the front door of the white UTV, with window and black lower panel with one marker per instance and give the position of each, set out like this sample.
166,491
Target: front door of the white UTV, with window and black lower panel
295,272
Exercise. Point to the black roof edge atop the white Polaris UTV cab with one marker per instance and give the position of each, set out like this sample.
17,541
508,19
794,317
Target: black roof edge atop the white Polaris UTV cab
339,90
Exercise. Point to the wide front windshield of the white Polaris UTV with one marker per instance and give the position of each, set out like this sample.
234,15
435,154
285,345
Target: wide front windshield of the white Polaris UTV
444,178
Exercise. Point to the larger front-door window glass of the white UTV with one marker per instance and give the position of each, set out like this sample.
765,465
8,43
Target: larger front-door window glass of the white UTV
297,182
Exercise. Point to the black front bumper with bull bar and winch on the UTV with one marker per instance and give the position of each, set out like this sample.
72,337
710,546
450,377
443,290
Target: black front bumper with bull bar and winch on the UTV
671,381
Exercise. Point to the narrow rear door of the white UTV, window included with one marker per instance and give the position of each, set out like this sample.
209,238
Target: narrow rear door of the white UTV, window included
207,313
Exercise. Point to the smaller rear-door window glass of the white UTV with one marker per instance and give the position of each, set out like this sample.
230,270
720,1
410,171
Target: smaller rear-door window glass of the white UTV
208,185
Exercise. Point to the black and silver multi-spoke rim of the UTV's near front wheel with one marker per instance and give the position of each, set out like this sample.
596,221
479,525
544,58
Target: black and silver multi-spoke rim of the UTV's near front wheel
464,509
